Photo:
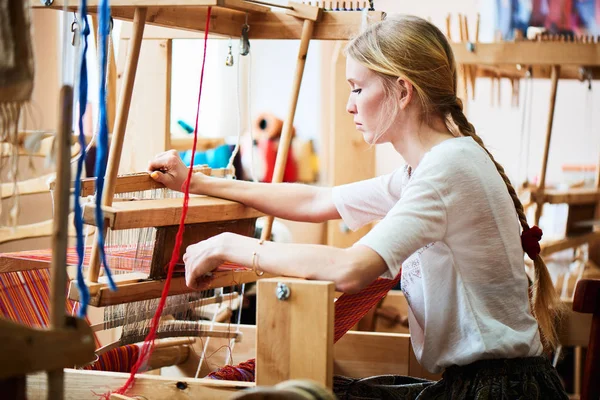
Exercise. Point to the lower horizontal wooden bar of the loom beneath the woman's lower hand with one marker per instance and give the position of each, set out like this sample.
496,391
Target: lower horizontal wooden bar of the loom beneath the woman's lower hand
138,289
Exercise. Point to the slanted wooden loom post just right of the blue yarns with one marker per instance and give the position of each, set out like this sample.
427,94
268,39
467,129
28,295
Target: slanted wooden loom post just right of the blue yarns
116,146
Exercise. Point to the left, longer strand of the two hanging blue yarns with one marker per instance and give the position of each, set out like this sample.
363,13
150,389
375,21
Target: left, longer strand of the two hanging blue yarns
84,294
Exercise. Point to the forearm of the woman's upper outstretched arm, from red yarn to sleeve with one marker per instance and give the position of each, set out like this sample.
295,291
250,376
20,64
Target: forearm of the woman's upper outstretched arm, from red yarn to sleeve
297,202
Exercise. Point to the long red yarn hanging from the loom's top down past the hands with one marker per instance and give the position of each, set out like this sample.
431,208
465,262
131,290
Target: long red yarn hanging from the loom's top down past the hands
148,346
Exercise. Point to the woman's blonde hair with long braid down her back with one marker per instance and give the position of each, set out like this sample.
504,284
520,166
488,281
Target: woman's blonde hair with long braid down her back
416,50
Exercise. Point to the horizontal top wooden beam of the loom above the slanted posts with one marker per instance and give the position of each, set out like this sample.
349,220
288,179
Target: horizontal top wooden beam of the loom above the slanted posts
227,18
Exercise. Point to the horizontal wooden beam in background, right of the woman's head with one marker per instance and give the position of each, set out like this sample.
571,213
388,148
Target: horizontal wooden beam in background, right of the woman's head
529,53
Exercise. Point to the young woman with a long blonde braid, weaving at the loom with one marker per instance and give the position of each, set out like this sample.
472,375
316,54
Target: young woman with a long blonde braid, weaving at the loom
451,224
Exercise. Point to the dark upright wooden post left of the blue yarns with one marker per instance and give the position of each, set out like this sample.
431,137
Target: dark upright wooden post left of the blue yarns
60,229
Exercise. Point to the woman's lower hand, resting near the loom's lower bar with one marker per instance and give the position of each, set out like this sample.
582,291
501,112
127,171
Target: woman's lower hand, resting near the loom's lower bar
202,258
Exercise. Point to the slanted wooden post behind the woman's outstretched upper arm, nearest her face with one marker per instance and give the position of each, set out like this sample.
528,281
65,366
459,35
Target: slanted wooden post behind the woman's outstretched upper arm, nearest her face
286,134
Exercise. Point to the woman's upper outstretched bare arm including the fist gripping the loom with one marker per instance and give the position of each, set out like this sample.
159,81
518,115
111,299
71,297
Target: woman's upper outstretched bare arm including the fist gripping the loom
296,202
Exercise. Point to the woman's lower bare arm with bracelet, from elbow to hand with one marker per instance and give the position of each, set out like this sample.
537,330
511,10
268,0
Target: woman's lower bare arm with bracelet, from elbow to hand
350,269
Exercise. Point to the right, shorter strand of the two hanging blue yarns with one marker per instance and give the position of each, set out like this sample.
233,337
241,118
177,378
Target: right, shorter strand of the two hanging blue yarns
102,149
